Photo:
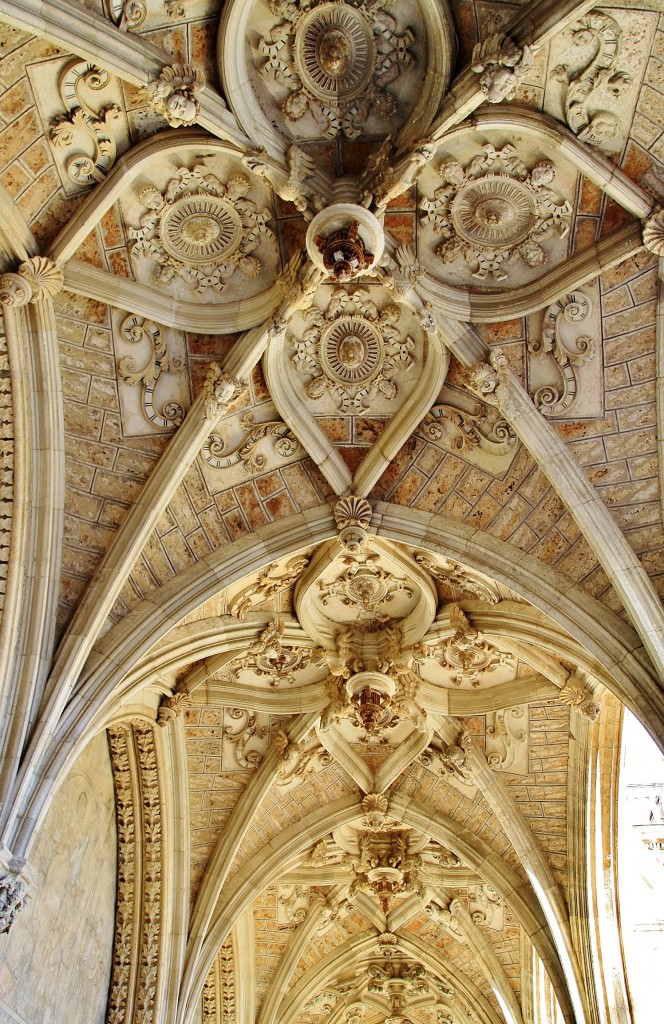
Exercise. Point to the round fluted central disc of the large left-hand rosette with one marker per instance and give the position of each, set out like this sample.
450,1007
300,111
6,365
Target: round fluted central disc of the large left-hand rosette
201,230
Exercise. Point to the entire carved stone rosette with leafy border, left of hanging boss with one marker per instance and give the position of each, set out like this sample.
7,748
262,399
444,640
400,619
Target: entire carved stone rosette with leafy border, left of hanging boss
201,229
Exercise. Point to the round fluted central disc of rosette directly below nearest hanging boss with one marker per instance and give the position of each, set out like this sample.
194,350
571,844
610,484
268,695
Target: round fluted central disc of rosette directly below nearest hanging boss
352,351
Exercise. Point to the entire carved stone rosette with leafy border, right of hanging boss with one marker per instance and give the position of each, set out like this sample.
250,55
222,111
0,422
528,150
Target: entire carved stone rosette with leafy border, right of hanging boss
495,211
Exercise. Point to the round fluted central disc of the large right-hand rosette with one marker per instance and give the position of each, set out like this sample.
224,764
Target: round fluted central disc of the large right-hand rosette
494,212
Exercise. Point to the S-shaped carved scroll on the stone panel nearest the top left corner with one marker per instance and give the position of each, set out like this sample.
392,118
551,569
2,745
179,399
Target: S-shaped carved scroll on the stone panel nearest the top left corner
82,125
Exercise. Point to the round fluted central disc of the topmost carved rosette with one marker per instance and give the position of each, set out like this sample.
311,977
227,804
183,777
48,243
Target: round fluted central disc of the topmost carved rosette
335,53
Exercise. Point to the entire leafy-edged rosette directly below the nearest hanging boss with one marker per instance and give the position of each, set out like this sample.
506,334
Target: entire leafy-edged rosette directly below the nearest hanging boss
353,351
